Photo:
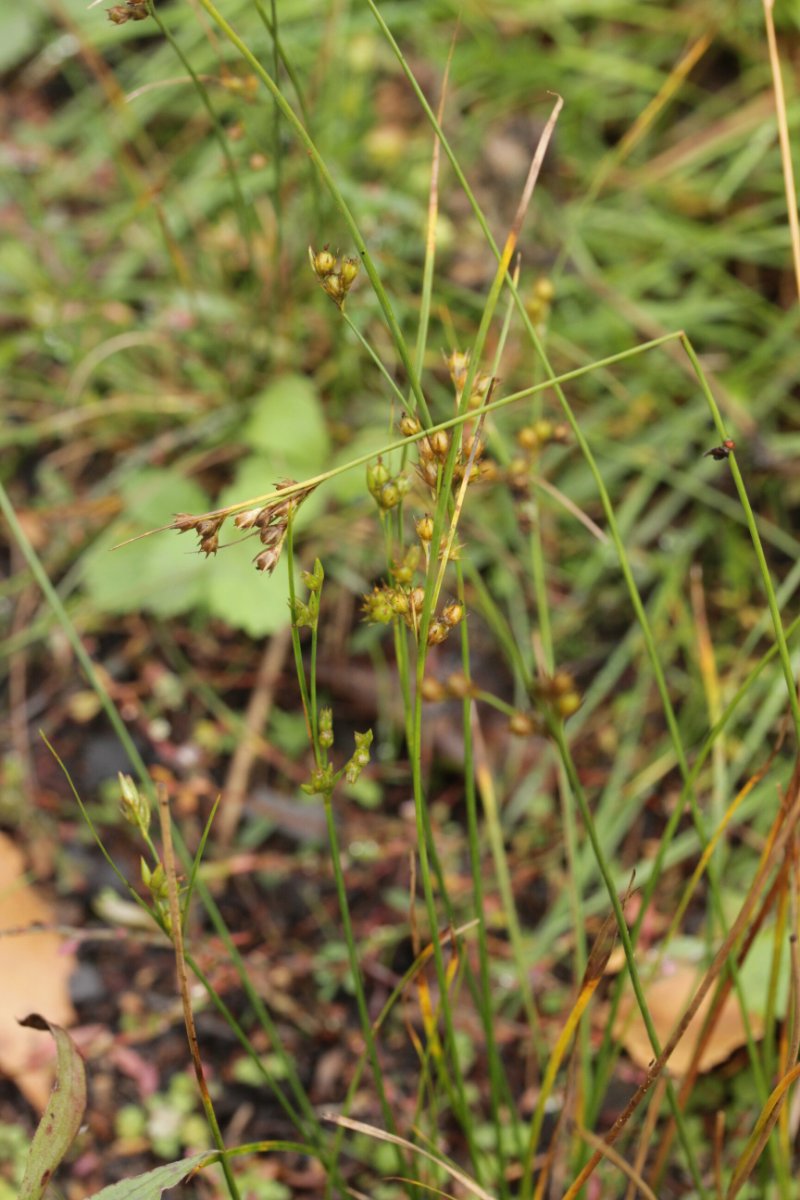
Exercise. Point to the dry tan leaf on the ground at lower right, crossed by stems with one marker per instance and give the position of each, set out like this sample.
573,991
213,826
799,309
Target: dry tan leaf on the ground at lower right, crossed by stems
667,998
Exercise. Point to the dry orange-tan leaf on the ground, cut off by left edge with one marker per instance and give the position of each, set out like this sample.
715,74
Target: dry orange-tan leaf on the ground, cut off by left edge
35,971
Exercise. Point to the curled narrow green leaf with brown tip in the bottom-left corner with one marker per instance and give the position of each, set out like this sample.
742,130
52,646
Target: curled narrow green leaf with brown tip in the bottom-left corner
62,1118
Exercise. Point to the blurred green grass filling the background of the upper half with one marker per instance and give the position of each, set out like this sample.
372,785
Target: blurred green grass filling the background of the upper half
141,331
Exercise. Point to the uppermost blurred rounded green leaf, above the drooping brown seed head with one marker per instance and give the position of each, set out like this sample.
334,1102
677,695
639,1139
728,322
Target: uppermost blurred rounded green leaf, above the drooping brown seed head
287,422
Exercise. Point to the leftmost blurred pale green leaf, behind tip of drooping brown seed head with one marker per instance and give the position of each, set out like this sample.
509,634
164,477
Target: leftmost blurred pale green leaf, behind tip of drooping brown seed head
164,574
